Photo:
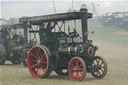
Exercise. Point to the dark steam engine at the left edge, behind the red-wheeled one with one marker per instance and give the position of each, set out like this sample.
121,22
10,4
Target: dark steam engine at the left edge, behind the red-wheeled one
12,43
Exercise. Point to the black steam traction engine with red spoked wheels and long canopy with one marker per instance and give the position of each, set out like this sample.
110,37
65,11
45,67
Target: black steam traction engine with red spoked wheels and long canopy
66,53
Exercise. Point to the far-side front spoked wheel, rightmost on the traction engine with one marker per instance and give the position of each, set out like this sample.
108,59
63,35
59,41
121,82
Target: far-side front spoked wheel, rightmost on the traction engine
99,67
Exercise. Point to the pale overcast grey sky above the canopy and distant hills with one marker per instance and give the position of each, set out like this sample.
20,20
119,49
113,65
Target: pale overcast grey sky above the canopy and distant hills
19,8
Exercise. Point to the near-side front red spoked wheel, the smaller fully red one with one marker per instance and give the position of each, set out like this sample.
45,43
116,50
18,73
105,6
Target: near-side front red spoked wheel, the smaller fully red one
77,69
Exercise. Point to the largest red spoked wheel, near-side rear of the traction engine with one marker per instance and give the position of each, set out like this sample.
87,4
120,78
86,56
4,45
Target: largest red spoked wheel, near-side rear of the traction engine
39,62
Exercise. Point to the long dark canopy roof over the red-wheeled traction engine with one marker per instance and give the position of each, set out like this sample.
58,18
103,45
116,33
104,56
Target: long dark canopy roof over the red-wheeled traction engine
55,17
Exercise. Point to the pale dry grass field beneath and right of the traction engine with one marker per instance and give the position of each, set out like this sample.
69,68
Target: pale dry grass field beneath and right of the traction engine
113,46
